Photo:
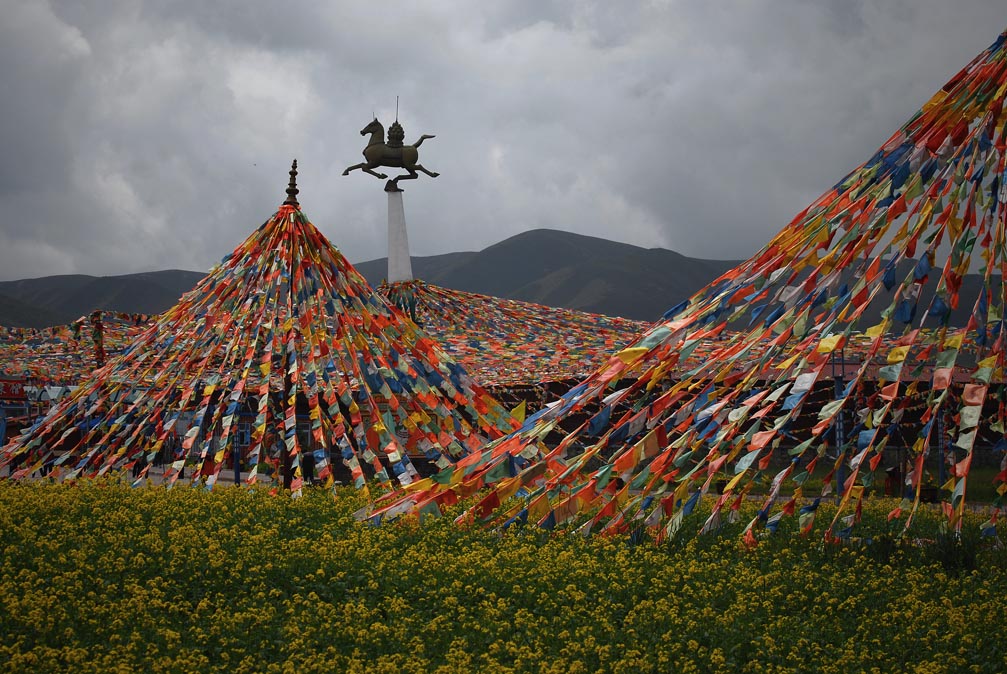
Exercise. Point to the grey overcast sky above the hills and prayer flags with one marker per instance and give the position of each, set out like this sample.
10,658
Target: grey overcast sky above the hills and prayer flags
142,136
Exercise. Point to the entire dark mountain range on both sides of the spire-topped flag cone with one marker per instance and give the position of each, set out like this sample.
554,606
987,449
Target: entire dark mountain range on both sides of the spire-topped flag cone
544,266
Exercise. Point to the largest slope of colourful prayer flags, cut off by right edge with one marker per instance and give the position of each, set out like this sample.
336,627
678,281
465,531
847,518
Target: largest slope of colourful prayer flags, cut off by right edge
852,300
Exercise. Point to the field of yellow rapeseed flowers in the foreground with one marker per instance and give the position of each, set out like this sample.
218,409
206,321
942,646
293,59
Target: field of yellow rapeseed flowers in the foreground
97,577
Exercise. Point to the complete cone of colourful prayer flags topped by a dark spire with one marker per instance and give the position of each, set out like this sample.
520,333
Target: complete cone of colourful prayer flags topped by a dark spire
287,335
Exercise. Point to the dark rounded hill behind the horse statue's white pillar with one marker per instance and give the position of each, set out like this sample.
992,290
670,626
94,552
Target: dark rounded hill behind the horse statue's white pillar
569,271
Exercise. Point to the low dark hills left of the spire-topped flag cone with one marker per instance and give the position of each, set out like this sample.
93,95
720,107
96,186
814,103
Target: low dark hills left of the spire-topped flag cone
51,301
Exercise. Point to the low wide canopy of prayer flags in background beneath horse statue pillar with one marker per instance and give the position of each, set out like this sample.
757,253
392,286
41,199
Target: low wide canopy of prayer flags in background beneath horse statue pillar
501,343
